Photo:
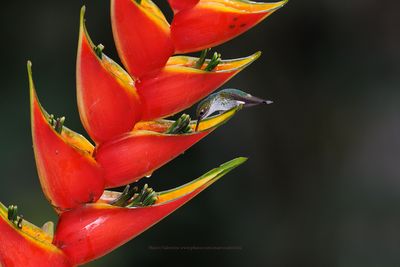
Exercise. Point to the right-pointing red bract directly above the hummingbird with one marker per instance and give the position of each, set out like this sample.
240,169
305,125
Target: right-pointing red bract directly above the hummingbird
181,83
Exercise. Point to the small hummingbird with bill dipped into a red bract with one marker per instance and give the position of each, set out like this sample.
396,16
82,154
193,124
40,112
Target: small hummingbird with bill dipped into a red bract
225,100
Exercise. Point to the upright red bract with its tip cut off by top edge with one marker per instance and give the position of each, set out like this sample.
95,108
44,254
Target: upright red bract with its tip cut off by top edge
142,35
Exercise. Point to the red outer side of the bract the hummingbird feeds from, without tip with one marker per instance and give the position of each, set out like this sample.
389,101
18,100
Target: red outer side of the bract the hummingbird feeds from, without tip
139,153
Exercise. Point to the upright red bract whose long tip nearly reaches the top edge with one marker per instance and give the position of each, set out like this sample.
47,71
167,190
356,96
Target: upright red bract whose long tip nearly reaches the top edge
107,99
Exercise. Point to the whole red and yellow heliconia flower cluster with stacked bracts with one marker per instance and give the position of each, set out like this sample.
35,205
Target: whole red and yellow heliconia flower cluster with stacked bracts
121,110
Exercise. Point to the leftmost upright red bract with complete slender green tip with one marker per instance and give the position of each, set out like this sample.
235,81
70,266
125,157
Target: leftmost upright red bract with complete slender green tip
68,174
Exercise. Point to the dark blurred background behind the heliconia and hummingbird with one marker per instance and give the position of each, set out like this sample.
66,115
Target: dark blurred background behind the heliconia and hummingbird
322,185
